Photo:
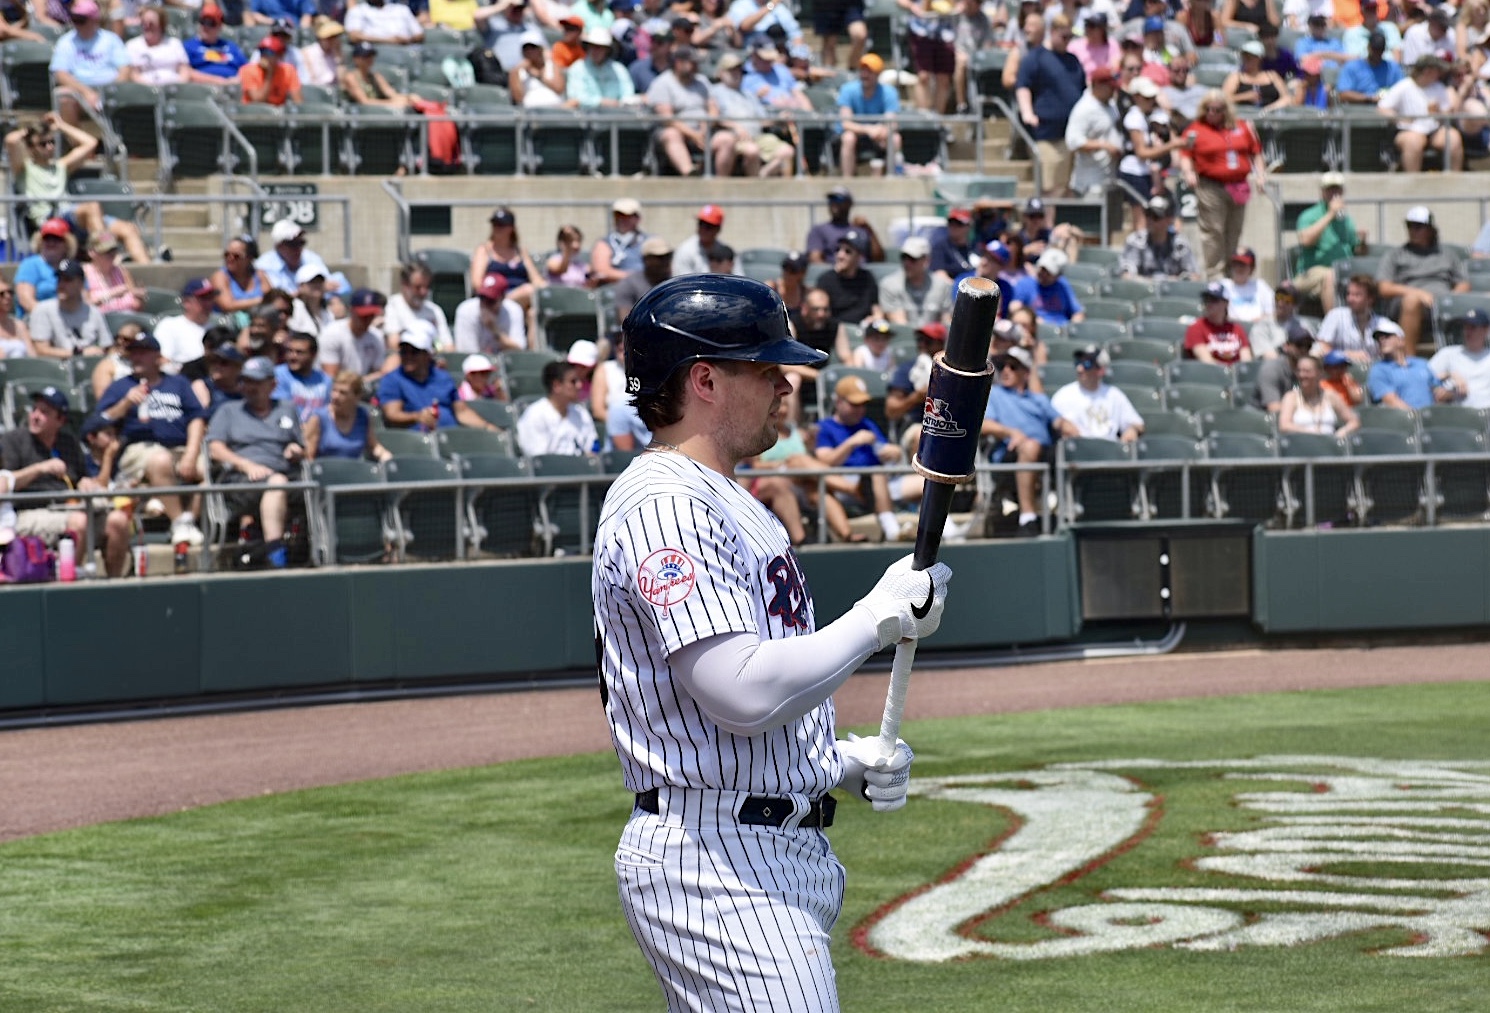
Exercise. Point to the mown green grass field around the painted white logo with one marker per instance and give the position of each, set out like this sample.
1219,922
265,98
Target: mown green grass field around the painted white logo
492,890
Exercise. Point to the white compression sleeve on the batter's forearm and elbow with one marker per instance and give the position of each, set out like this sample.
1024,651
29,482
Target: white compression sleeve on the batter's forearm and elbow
746,685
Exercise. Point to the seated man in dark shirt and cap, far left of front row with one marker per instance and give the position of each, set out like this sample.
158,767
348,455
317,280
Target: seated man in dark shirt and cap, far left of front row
44,457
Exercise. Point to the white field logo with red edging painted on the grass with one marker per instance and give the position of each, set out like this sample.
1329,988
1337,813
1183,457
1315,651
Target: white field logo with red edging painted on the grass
1287,881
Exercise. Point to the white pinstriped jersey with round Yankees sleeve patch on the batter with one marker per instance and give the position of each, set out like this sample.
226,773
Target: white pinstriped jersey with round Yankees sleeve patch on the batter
683,555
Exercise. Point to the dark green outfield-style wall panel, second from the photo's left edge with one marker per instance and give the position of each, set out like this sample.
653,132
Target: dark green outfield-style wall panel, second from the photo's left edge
123,641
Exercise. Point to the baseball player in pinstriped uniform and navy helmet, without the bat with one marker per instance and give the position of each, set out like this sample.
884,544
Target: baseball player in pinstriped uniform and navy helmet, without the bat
717,682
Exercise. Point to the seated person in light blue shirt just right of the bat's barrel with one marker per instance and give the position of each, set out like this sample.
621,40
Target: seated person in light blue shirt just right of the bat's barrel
1026,425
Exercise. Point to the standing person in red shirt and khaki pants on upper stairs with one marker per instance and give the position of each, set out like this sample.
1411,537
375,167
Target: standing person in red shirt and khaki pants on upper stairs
1218,159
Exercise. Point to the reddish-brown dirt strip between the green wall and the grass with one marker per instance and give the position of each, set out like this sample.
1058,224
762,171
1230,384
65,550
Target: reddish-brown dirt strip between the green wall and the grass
71,777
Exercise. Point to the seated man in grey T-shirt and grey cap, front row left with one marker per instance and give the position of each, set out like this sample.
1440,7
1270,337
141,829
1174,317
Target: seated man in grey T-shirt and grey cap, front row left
259,443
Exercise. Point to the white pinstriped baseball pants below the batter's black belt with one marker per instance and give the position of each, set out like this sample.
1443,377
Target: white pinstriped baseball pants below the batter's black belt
732,917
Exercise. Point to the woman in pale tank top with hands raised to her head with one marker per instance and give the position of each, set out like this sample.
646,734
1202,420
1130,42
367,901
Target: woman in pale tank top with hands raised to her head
44,180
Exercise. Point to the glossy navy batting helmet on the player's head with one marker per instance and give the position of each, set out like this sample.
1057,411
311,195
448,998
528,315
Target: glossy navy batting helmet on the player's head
707,317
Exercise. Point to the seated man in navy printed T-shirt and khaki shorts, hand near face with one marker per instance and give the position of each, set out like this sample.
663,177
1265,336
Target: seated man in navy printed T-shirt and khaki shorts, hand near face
162,427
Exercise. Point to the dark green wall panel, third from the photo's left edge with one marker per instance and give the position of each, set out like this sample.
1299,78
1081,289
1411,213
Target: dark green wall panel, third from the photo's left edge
288,629
